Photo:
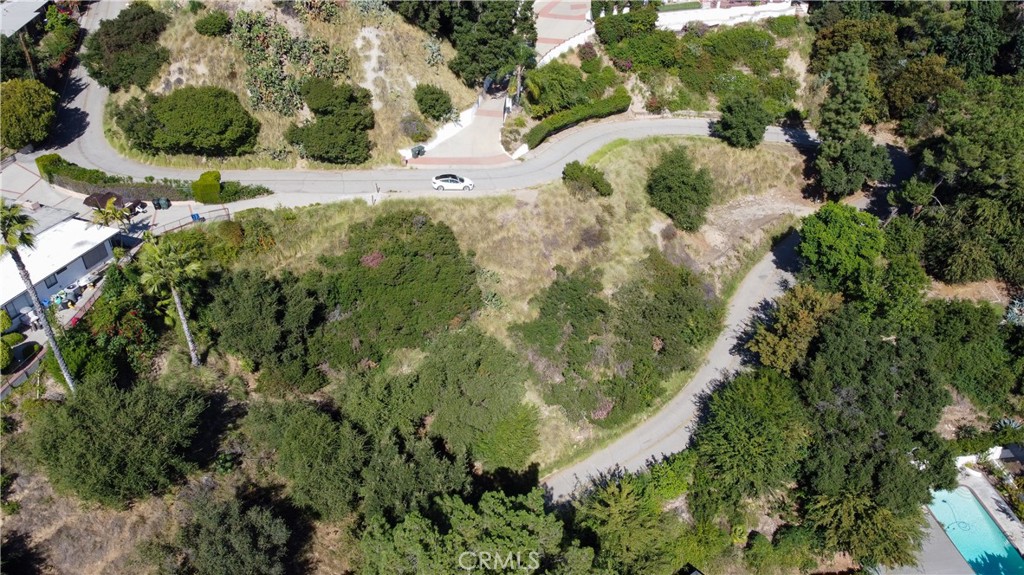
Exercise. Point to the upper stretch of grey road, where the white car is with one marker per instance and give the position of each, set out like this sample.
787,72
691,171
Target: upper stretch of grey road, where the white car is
80,140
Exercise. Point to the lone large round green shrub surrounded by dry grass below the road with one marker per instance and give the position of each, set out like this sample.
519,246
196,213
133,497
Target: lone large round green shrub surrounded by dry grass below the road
681,192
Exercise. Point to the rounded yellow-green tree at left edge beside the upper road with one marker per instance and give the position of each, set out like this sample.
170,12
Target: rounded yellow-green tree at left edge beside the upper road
27,113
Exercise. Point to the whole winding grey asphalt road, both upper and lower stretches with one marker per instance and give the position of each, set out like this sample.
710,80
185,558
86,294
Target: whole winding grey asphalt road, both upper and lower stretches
80,125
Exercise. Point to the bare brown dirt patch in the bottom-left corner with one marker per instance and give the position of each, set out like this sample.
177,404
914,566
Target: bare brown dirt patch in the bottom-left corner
82,539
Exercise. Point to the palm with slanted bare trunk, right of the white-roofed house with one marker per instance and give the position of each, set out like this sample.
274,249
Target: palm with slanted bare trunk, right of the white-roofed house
168,267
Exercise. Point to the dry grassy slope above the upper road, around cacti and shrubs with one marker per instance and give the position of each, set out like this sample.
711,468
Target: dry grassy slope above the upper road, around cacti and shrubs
387,56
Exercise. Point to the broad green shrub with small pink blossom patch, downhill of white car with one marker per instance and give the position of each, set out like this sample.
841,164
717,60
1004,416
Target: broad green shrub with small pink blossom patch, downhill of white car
402,280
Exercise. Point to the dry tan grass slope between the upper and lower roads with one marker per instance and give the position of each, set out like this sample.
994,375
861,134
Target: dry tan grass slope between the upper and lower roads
520,240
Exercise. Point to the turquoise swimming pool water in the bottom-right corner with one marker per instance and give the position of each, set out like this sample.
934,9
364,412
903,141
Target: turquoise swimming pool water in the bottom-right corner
975,535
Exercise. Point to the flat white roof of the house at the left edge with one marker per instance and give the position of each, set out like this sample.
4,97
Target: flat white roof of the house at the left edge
56,248
